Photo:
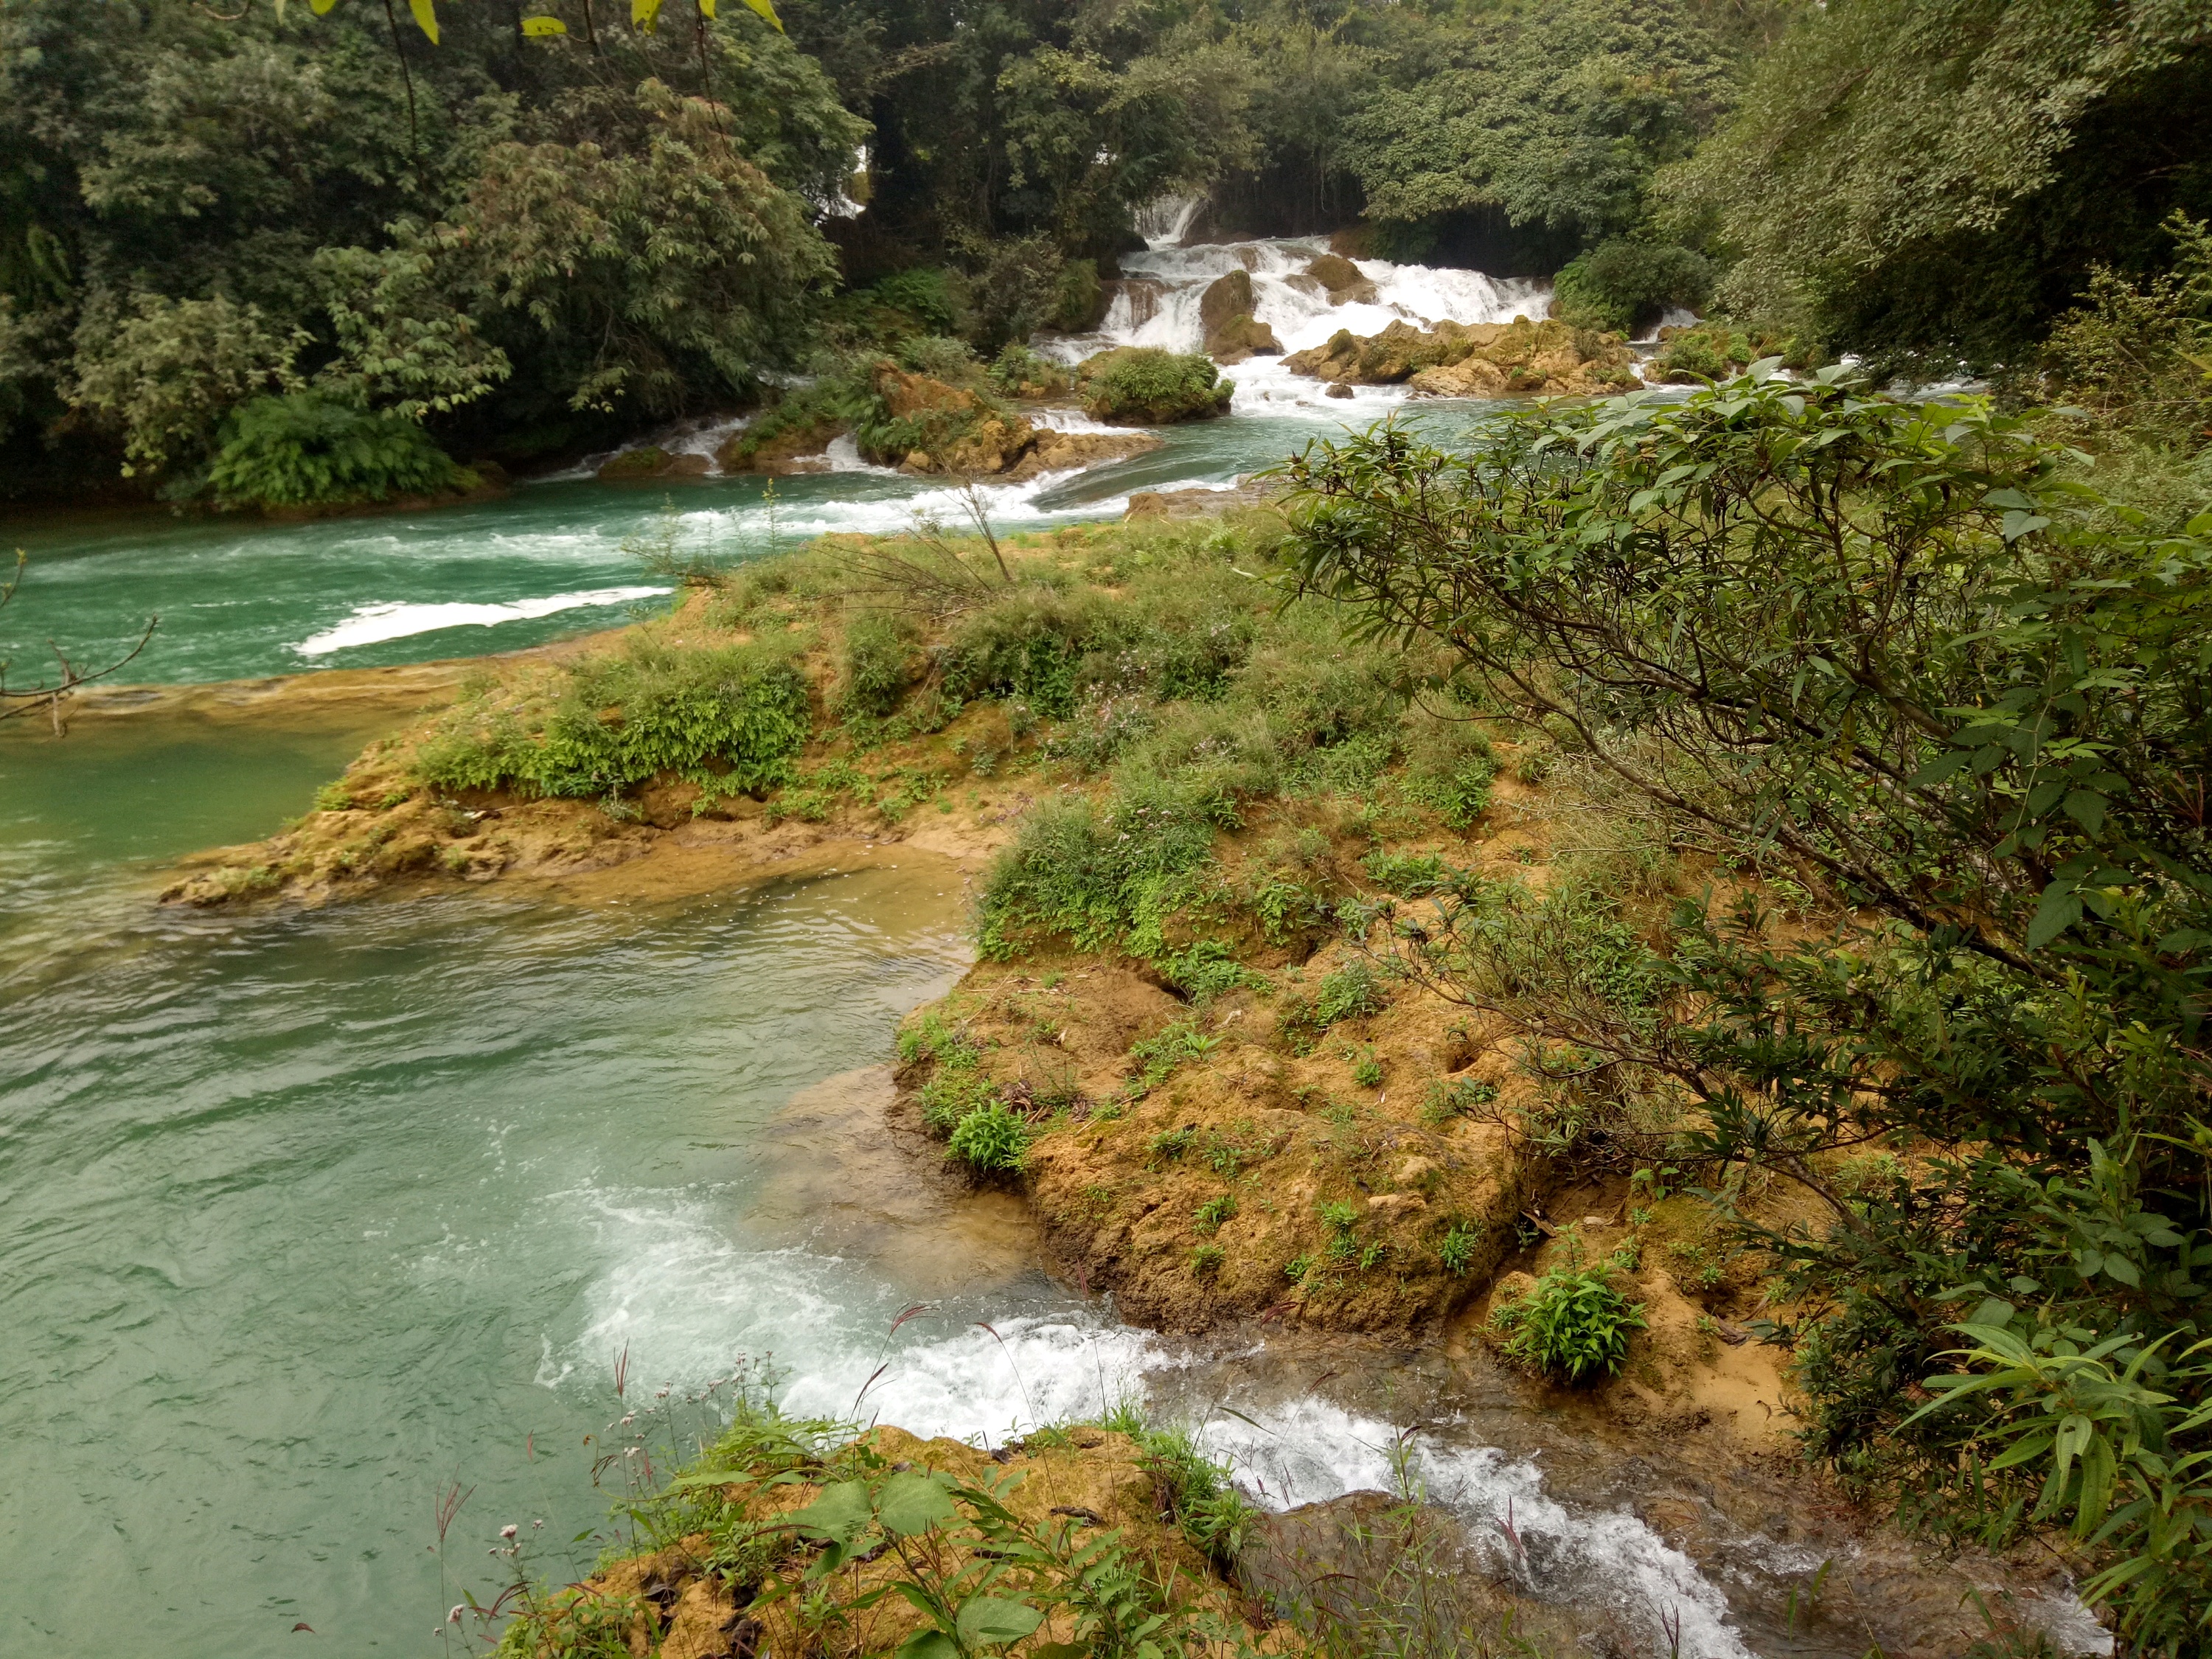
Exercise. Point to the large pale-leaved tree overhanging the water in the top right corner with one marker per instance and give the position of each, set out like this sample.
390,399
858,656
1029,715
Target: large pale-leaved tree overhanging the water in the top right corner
1937,176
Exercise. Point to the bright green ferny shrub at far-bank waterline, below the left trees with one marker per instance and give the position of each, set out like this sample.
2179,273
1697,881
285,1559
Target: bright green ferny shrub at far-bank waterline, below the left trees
309,450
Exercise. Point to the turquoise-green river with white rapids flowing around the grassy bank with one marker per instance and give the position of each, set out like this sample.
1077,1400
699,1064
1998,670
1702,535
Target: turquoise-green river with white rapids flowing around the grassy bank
315,1220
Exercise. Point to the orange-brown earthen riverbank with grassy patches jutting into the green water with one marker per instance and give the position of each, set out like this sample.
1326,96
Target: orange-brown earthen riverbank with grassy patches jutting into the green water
1169,795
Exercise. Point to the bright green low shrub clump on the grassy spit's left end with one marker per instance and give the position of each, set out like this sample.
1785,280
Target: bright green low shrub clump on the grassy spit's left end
727,720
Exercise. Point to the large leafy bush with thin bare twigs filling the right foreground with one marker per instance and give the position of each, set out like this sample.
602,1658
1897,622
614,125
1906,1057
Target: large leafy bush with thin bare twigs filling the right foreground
1903,654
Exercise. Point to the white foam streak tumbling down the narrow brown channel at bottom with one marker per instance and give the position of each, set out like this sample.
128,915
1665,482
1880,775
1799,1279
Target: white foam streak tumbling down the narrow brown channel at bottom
1587,1558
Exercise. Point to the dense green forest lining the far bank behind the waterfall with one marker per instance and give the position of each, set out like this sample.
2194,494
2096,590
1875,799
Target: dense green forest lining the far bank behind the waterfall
275,253
